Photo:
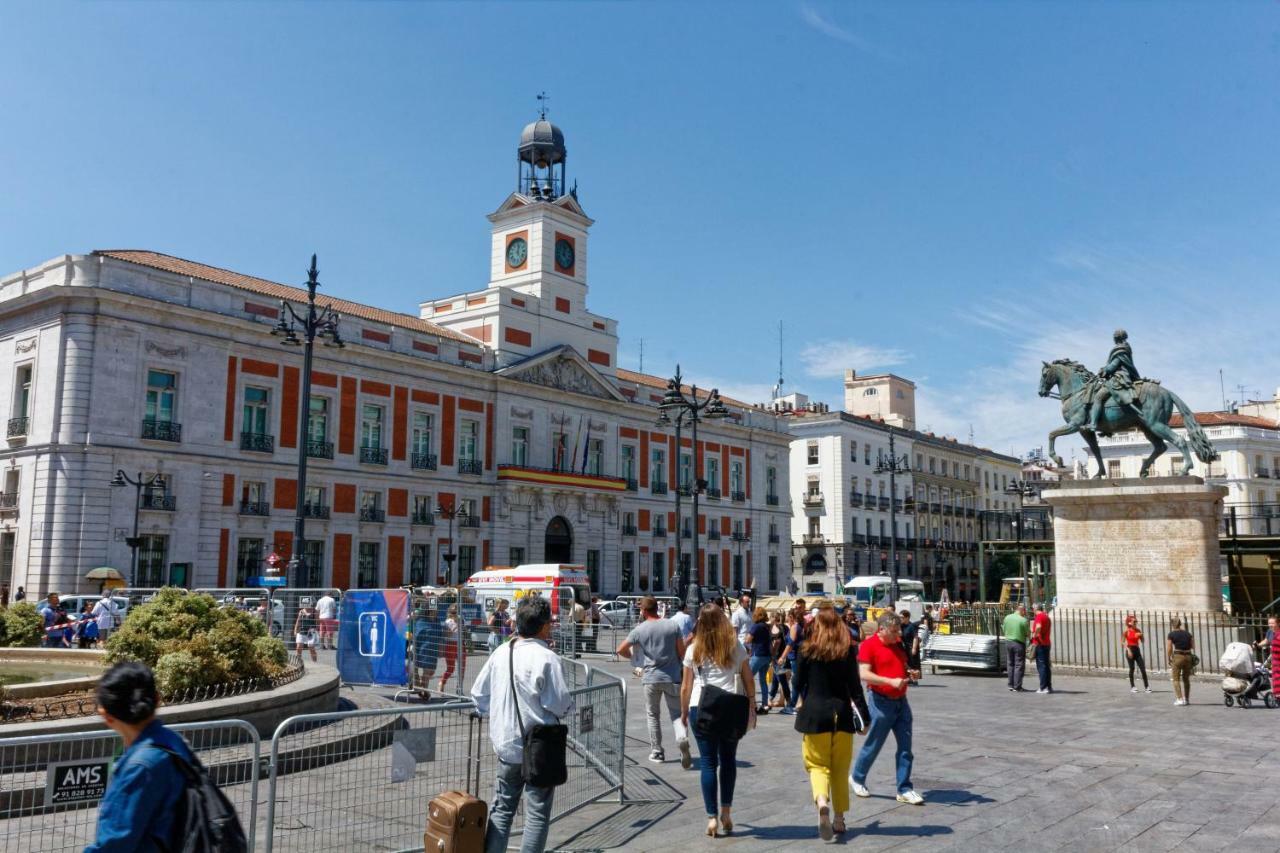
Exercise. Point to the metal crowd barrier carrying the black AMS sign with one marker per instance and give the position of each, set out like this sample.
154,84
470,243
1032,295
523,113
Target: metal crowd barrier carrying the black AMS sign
51,786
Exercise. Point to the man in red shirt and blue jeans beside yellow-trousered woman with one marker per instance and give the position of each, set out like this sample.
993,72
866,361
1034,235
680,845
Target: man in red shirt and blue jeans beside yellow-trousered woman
883,664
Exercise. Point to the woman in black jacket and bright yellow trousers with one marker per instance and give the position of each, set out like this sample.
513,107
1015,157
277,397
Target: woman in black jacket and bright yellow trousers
834,710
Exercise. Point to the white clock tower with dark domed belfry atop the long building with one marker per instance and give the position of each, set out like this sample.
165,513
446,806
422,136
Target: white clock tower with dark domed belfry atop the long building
537,294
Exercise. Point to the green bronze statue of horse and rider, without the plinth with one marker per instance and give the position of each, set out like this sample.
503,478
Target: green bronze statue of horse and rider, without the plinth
1117,399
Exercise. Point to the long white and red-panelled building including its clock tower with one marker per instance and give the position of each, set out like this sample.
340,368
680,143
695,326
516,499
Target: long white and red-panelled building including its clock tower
505,405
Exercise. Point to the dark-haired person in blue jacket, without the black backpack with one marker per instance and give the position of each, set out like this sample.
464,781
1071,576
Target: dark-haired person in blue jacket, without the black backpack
136,814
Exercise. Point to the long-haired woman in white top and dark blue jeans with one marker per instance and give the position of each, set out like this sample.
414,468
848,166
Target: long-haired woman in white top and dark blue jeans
716,658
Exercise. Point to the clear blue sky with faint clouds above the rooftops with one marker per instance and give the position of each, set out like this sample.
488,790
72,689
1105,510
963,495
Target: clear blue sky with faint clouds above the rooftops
952,191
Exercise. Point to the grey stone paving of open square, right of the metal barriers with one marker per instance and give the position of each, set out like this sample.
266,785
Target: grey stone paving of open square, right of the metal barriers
1091,768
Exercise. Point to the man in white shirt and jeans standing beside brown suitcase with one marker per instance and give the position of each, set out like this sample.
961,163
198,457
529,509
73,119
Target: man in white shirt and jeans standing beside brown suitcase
543,699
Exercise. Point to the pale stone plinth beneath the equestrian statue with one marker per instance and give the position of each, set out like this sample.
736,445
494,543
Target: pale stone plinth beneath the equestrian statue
1139,544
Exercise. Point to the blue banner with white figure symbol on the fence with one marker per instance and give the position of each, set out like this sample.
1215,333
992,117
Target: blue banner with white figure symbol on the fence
372,637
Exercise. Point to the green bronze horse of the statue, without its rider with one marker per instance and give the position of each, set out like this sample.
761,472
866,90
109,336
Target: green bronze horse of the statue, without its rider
1156,405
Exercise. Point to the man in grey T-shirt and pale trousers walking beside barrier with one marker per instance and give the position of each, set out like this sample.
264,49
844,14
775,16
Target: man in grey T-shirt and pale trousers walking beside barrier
664,654
